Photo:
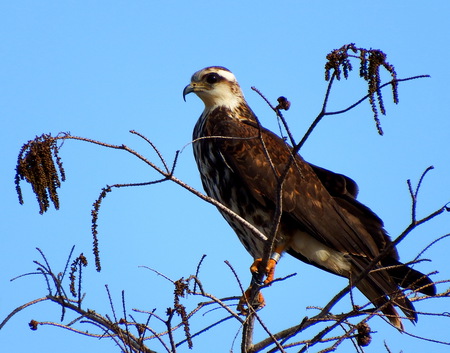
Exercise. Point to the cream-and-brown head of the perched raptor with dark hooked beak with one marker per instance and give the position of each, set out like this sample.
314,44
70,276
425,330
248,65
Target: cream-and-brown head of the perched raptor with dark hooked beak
216,86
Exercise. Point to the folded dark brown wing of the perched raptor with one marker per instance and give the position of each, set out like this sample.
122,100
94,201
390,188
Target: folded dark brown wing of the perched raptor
335,223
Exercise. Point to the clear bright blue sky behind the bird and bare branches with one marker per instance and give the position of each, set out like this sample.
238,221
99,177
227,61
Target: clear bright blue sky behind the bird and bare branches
99,69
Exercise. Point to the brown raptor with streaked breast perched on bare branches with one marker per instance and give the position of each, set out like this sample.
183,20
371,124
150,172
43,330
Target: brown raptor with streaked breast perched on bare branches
322,223
